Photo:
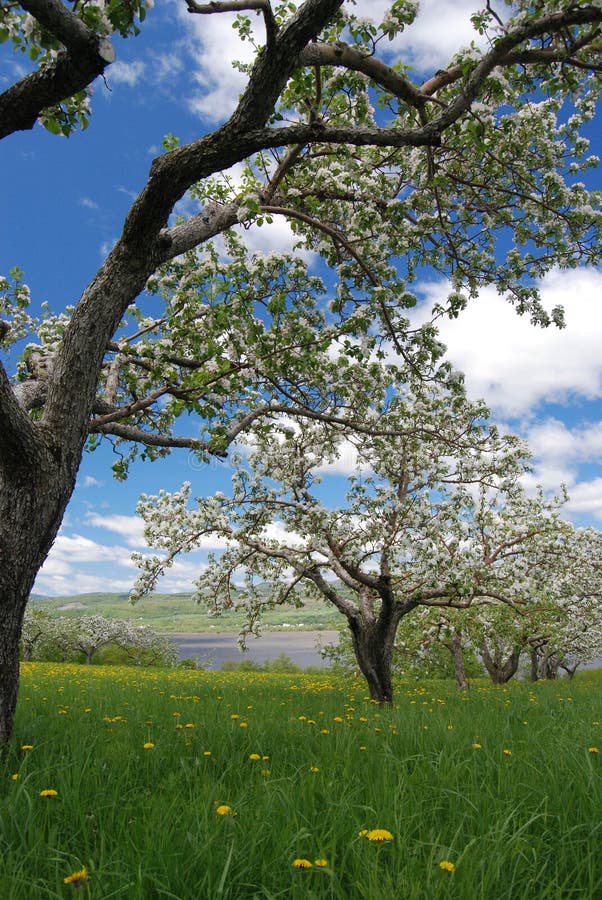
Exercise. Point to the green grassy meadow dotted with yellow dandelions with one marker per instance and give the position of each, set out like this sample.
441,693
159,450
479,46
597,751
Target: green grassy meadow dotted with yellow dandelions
200,785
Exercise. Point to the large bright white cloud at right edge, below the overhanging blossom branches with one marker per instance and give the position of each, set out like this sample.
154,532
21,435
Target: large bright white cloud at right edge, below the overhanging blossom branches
516,366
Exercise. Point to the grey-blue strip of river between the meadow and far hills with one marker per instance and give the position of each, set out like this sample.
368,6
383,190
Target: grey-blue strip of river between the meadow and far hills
212,649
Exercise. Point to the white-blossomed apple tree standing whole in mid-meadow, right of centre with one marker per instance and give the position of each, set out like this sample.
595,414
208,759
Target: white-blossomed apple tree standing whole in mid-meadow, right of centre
436,518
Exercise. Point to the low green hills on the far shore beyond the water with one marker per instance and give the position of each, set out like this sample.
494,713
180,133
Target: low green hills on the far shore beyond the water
171,613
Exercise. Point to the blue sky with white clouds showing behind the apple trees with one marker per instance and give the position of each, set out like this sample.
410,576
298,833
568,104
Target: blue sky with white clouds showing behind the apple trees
65,201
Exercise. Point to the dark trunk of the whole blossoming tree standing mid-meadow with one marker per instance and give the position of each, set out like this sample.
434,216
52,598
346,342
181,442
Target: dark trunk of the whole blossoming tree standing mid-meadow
373,646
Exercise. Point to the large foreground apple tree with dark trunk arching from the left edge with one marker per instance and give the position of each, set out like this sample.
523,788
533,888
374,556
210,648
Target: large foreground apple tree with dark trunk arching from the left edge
378,174
